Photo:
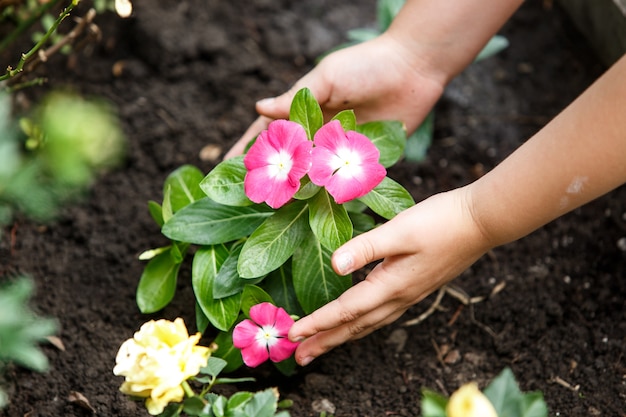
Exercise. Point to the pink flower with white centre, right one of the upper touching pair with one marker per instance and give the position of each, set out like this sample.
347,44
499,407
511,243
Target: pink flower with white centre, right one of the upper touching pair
346,163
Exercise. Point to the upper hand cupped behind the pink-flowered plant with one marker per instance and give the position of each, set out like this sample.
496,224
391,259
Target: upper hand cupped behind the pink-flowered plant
376,79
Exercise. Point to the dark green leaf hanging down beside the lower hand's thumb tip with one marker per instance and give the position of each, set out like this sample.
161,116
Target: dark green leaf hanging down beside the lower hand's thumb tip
314,280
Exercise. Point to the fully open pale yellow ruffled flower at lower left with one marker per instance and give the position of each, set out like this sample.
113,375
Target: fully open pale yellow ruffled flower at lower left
157,360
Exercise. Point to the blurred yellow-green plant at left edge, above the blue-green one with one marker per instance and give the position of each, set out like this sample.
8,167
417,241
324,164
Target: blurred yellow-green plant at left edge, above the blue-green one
51,156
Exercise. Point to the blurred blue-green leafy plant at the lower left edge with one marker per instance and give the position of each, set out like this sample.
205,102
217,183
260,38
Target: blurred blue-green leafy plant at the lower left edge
21,330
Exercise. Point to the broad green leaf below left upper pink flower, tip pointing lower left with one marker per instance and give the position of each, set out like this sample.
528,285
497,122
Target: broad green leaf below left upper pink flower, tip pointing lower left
273,242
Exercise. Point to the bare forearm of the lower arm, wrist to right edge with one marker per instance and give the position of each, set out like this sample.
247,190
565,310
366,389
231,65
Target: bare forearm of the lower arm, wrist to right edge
578,156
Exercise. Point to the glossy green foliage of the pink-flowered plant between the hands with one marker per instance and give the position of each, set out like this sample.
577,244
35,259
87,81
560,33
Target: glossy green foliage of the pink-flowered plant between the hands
247,253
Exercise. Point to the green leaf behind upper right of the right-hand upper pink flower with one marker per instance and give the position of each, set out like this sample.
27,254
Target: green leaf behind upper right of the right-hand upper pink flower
389,137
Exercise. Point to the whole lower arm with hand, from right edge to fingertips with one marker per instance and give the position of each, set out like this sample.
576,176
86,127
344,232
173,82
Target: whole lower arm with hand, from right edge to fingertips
578,156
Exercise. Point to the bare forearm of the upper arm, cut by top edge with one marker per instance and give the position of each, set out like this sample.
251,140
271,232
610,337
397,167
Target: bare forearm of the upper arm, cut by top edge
444,36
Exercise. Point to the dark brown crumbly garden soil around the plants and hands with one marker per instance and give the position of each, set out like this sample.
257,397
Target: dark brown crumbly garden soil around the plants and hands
190,74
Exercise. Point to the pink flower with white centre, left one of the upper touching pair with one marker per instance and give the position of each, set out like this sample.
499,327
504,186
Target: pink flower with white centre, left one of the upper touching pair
276,162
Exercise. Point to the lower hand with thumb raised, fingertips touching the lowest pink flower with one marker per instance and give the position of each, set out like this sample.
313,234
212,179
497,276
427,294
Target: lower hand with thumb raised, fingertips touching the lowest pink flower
423,248
